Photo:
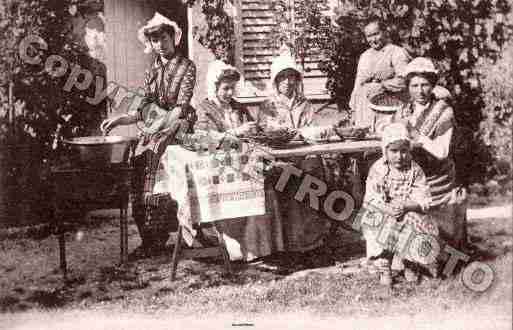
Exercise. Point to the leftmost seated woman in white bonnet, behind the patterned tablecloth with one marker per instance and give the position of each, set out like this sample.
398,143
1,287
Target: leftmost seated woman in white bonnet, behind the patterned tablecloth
224,118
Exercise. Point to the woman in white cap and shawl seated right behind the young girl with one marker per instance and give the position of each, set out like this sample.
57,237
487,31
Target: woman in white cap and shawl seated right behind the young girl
431,123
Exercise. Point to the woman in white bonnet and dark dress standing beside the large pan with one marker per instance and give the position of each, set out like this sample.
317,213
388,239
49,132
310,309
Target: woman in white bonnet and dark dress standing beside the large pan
163,114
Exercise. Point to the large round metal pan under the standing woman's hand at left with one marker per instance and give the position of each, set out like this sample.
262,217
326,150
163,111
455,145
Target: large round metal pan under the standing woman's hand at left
100,150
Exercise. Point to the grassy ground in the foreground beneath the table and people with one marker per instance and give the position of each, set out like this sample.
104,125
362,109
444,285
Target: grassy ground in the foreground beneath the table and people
332,289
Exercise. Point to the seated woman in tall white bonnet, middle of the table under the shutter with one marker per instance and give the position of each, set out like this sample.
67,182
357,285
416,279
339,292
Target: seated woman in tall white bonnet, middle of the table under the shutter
304,228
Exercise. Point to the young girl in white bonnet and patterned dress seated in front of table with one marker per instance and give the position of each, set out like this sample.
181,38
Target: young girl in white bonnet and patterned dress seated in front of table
395,204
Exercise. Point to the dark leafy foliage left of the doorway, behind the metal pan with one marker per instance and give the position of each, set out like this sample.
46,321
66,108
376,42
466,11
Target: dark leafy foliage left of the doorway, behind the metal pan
45,109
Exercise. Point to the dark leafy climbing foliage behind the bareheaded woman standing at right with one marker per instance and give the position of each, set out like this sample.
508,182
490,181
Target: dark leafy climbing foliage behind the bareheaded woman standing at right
454,33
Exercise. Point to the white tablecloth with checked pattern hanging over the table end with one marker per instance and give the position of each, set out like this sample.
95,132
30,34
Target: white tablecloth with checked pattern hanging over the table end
211,186
